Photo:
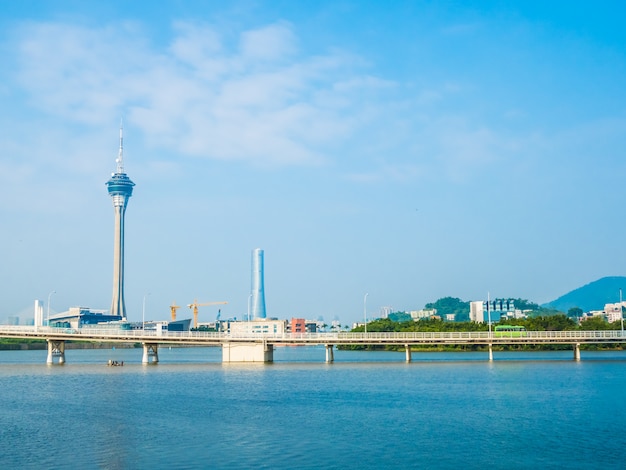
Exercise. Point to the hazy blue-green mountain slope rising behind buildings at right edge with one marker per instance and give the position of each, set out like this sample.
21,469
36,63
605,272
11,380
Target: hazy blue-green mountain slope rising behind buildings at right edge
592,296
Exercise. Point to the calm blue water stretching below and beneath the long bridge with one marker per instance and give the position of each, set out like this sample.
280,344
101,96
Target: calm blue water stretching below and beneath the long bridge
367,410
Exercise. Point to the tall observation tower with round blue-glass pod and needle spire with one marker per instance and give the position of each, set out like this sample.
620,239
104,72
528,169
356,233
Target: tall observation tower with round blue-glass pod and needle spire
120,189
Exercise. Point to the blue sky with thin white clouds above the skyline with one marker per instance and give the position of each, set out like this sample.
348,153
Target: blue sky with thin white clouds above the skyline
407,150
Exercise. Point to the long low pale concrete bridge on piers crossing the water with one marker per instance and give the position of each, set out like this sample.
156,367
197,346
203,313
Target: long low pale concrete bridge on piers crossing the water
252,347
